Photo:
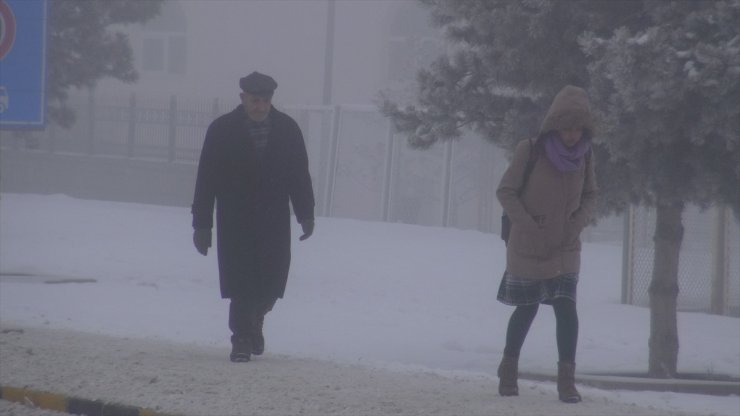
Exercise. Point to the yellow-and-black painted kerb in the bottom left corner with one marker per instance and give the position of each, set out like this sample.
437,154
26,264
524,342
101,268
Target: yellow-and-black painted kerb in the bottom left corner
73,405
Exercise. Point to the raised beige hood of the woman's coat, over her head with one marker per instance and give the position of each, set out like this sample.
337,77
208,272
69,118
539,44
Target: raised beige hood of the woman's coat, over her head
570,108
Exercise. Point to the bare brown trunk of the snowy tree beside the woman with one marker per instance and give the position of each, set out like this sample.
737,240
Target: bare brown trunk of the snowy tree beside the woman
664,290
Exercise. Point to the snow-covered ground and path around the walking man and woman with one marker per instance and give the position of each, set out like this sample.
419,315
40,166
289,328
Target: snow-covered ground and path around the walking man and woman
377,319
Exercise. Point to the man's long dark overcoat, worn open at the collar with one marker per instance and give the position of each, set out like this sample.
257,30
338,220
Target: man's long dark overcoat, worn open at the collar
251,195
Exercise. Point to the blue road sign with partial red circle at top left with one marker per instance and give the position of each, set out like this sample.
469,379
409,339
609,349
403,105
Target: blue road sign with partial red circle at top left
22,63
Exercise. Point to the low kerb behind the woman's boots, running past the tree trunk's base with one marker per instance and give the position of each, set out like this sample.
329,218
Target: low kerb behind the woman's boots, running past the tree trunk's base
616,382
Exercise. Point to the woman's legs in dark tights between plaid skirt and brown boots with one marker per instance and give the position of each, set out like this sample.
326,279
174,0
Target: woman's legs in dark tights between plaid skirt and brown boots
566,328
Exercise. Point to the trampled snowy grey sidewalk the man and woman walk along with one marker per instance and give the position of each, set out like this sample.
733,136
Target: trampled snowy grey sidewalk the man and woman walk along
194,380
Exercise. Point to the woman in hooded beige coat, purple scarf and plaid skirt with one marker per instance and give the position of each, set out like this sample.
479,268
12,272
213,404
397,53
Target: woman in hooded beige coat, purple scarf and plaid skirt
549,203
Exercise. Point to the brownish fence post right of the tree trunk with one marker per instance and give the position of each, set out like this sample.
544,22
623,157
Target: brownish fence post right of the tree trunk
719,271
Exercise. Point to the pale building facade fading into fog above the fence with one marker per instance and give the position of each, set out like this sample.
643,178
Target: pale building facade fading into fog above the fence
286,39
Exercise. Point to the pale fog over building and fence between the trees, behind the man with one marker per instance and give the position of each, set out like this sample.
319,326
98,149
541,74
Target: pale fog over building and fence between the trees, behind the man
189,61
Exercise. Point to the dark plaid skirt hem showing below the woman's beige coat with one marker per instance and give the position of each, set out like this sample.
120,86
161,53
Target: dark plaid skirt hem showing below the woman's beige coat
515,291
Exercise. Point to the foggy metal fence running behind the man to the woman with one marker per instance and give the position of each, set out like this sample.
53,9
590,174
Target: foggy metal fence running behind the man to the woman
359,167
